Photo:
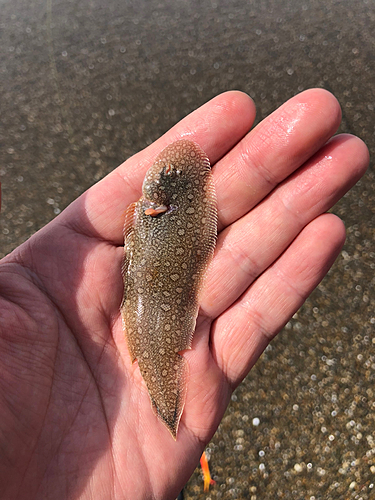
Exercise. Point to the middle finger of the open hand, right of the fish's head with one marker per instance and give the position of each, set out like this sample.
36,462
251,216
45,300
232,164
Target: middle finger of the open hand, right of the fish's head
279,145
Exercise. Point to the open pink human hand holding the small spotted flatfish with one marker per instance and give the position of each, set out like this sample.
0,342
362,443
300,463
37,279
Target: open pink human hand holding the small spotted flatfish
75,416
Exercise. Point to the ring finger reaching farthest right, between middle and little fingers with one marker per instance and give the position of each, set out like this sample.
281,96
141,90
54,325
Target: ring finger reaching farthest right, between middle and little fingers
250,245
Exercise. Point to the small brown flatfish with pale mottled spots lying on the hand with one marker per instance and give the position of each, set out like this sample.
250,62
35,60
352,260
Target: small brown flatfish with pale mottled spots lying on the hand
166,256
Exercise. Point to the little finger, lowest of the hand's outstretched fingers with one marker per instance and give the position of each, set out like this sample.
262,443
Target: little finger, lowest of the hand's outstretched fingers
240,335
